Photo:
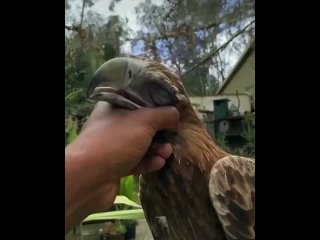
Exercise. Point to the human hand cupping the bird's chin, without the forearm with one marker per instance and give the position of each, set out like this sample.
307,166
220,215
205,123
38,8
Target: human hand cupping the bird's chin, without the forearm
120,139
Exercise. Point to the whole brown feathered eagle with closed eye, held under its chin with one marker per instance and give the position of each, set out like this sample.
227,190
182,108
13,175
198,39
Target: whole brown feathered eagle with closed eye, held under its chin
202,193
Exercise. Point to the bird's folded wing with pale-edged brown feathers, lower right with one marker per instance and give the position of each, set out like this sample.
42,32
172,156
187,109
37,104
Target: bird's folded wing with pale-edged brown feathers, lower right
232,192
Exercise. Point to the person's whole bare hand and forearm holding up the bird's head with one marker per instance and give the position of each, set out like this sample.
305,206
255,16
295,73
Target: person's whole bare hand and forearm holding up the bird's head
113,143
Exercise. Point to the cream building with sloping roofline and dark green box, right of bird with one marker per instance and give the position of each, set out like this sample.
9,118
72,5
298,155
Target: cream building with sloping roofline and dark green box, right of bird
224,114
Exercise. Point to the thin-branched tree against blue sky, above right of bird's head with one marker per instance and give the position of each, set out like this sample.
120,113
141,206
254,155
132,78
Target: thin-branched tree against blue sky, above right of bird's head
191,34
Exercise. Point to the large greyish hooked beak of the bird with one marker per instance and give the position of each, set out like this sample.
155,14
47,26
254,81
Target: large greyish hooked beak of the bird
111,82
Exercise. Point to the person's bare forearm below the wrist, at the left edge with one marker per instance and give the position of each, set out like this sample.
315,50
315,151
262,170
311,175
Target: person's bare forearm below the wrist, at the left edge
84,187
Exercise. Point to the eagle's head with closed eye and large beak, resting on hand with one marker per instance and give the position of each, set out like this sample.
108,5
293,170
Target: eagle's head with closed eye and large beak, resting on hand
131,83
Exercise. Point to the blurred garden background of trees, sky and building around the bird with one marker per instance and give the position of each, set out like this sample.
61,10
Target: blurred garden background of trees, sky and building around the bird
209,43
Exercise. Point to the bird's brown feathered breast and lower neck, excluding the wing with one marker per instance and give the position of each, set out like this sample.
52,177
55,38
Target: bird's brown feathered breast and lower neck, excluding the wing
179,192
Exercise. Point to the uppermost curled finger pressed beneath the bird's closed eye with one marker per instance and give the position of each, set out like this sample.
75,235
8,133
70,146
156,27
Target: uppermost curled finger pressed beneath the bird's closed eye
162,118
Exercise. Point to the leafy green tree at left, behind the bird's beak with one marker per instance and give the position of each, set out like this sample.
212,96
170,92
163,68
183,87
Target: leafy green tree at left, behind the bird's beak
89,42
